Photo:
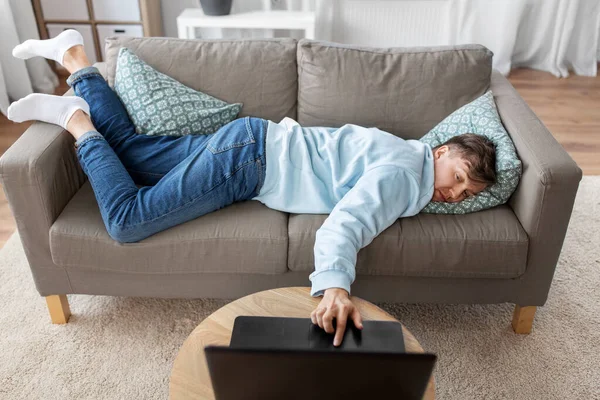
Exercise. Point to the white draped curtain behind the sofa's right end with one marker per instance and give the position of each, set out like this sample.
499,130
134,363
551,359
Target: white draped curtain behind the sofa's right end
549,35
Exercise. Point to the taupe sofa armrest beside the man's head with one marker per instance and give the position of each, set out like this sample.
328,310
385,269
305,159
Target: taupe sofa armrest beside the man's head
544,199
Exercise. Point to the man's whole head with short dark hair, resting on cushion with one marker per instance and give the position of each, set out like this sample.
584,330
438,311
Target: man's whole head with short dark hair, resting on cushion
463,166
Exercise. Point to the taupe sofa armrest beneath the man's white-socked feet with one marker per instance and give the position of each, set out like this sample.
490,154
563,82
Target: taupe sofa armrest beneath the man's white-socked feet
40,173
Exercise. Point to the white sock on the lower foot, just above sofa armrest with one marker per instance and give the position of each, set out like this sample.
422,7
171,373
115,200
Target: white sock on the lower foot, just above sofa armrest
56,110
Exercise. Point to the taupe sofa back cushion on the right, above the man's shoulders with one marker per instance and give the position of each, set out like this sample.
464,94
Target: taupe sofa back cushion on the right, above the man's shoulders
405,90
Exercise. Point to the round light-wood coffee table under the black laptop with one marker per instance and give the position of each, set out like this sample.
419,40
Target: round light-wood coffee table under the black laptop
190,378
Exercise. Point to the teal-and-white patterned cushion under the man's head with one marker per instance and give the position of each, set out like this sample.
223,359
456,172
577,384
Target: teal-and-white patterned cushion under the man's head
479,117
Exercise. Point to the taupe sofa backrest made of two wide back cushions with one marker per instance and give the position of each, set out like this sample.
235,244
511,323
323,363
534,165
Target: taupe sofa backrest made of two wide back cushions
404,91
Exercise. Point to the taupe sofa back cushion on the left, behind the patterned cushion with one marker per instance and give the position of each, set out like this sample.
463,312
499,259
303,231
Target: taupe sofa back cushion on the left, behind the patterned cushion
260,73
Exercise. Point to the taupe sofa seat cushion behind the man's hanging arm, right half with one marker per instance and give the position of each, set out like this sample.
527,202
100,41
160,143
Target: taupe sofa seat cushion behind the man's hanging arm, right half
486,244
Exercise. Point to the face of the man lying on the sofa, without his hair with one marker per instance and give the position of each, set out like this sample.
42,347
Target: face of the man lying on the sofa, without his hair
452,183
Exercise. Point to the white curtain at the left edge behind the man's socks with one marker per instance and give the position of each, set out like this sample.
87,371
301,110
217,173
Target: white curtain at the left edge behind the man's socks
18,78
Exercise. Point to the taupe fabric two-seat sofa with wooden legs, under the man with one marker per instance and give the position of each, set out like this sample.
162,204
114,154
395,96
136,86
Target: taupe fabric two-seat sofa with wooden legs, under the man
505,254
